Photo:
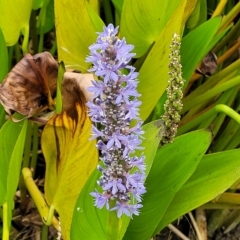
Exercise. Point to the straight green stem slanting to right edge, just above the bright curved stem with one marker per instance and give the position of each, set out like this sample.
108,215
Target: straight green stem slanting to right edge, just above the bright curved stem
187,105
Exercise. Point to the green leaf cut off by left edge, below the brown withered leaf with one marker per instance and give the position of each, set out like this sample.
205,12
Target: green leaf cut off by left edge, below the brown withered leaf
9,134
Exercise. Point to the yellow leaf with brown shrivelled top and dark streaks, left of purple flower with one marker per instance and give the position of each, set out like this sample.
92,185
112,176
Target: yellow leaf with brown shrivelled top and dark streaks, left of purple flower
70,156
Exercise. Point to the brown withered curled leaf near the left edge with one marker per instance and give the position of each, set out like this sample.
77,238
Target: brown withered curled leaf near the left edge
30,85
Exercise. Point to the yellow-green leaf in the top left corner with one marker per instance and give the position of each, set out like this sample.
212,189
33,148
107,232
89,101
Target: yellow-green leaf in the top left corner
14,18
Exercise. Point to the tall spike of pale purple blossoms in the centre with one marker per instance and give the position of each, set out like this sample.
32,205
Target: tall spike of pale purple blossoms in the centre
114,110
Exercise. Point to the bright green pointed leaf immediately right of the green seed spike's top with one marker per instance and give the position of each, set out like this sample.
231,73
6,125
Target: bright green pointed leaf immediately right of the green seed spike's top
194,48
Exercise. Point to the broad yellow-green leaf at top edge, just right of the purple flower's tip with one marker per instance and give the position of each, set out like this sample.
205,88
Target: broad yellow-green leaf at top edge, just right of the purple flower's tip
142,21
